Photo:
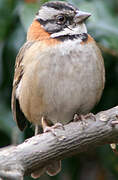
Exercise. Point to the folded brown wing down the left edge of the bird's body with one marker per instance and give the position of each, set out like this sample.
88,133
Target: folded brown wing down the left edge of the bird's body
18,115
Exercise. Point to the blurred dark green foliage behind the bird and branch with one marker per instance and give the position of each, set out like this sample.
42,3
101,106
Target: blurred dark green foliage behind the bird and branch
15,17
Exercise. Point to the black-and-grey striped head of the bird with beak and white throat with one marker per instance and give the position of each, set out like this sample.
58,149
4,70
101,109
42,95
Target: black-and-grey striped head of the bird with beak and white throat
60,19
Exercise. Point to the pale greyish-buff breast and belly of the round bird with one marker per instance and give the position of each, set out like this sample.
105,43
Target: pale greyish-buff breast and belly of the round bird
63,81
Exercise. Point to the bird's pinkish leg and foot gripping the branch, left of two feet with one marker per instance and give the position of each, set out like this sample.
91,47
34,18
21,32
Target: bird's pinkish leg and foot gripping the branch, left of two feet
47,128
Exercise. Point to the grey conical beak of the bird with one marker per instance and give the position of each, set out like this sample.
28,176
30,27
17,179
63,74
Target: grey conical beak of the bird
81,16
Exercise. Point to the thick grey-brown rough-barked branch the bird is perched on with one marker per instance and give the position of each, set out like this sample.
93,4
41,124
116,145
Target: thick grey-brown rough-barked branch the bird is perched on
77,137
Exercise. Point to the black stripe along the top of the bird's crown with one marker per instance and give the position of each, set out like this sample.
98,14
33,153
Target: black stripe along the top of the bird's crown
59,6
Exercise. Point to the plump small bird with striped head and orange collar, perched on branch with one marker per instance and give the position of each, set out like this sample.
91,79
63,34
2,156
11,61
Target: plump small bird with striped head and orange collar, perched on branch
59,71
